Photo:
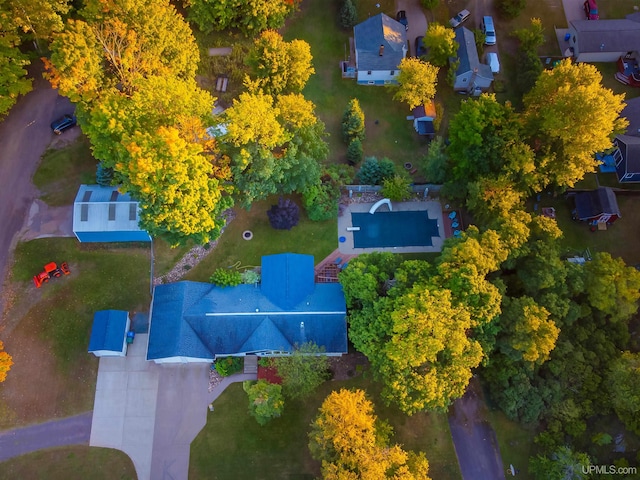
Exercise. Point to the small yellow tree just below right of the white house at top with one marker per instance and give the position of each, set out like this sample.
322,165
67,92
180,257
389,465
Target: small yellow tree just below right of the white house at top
416,82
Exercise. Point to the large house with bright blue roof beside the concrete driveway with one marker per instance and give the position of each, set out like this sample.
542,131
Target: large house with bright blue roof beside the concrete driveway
197,322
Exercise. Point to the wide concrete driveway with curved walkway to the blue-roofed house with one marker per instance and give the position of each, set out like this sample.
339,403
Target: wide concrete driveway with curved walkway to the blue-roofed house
152,412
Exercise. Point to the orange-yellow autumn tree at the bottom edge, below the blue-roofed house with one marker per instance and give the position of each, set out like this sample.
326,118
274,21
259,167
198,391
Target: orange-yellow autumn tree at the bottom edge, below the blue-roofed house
351,442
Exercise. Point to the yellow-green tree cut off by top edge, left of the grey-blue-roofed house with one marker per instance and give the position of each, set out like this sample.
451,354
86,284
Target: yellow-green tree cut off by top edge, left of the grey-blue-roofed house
248,16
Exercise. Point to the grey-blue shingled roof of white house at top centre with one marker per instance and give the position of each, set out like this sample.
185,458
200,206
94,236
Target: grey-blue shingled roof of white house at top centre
373,32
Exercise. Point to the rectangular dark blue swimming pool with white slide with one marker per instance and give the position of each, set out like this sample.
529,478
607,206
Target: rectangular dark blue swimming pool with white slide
406,228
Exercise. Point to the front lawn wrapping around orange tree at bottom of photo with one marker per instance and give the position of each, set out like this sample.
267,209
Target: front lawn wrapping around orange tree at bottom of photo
233,446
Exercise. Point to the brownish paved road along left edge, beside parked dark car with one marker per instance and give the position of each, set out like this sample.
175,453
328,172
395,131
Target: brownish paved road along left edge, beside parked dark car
24,136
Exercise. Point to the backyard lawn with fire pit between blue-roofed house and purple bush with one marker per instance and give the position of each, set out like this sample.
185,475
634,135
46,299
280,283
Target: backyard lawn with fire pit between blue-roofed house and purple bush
313,238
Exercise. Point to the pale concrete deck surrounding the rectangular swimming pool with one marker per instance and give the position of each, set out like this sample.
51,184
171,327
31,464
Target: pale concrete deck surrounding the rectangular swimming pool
433,207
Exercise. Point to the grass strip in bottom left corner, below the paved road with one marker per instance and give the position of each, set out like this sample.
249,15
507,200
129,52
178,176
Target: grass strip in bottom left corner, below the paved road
70,463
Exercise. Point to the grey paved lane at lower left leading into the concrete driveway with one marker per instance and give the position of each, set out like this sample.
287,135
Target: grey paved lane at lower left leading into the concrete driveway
56,433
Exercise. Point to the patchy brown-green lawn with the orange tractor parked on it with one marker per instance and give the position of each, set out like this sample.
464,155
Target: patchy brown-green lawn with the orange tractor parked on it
48,328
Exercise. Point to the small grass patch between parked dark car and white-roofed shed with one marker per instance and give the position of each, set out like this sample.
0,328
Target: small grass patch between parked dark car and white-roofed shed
61,171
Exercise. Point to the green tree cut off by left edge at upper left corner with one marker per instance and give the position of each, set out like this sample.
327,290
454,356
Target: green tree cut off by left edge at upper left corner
13,63
